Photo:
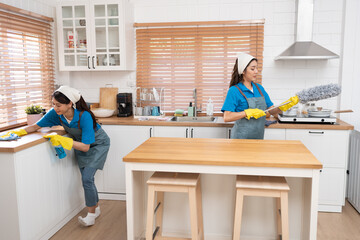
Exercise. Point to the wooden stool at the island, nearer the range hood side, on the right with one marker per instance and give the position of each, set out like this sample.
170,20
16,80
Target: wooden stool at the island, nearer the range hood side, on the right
263,187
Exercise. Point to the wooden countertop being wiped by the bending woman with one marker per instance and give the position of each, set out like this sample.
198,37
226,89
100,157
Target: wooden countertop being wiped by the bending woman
29,140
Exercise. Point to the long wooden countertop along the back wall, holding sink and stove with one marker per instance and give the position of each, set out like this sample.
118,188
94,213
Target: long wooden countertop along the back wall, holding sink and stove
340,125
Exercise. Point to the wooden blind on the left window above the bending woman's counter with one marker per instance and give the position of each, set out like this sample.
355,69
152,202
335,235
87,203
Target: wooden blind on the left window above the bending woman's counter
26,65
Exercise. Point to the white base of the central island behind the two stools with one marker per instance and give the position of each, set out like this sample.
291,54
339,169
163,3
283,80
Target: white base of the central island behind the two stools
218,199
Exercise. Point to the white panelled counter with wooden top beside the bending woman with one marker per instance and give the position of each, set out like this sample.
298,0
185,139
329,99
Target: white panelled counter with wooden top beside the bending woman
40,192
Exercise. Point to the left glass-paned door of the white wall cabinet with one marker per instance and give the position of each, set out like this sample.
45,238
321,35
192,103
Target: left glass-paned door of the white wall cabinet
75,36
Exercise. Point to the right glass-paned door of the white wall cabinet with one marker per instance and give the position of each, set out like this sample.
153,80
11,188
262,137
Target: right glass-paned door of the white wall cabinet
107,28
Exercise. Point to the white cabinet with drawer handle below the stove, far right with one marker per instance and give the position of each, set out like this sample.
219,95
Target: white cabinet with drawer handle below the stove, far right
330,147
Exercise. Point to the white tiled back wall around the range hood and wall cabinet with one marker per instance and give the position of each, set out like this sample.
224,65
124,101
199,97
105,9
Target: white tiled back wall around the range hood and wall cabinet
282,79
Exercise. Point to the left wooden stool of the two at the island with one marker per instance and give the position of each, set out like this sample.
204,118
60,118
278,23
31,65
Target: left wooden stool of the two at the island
161,182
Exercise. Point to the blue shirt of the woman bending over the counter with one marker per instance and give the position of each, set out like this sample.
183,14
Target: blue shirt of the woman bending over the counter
86,124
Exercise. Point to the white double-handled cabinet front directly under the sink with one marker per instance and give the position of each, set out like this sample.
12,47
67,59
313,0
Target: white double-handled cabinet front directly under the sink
190,132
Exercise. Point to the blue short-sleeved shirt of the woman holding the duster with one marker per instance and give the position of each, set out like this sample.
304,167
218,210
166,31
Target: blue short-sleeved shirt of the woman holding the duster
235,101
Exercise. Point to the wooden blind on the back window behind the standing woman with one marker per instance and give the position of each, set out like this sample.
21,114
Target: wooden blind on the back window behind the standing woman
182,57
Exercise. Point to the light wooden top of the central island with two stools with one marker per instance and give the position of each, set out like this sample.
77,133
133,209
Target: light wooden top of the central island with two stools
225,152
